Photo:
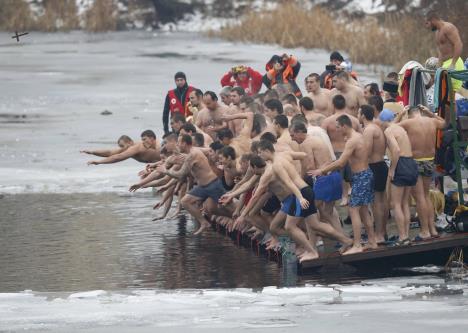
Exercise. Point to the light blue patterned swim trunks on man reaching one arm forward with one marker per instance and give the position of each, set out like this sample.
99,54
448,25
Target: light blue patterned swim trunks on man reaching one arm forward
362,188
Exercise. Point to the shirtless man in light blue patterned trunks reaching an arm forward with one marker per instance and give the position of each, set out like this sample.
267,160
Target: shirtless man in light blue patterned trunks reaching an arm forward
362,192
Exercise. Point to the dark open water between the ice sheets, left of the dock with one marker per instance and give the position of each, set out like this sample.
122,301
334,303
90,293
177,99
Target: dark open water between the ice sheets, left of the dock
72,242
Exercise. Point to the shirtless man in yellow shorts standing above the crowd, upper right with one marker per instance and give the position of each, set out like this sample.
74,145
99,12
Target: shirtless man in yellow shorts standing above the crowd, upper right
448,42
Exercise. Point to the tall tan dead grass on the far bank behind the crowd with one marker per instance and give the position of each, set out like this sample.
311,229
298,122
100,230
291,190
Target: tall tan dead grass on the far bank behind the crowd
390,40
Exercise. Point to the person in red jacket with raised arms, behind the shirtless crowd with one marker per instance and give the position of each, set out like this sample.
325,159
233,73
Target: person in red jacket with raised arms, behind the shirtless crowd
245,77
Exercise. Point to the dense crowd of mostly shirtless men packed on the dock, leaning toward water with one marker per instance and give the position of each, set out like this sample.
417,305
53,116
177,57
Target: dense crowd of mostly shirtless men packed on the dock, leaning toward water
279,162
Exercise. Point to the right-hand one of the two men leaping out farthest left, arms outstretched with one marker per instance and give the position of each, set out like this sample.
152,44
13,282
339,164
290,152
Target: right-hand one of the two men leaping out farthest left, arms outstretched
146,151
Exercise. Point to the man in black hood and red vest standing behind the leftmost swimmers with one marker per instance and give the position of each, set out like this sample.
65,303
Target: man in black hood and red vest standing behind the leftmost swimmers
177,99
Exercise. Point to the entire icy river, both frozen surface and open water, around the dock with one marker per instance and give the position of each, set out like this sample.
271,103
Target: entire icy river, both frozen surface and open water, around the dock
79,253
